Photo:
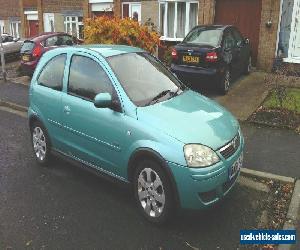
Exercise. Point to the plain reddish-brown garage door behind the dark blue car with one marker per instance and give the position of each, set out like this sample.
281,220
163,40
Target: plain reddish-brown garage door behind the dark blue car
244,14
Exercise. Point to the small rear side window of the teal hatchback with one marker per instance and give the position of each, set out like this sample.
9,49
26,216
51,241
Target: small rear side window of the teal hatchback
53,73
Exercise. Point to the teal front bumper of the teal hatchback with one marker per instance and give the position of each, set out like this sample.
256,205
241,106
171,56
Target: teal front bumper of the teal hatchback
202,187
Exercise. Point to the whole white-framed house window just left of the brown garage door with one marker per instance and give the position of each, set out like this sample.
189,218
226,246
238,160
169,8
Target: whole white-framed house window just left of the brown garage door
177,18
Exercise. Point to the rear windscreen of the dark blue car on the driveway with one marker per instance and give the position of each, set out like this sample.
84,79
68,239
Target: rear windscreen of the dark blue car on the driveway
204,36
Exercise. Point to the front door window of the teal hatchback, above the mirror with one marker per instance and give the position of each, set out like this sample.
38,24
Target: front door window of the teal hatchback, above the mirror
87,78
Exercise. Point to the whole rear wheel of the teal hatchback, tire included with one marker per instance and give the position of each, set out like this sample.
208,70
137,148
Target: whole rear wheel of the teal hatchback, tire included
40,143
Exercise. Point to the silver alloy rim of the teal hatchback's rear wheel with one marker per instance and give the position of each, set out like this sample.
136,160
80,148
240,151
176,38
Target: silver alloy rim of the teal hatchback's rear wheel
39,143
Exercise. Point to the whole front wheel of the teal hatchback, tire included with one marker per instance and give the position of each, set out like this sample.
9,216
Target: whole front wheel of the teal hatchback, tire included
153,192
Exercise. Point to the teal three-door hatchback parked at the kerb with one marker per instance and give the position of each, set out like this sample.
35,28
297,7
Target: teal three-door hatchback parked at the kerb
119,111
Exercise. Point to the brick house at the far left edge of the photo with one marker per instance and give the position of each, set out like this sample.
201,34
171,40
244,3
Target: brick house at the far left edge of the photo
10,17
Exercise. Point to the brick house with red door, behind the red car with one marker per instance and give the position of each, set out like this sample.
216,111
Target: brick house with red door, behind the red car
60,15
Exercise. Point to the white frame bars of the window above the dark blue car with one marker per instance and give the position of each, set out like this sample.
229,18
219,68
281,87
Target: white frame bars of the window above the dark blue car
187,20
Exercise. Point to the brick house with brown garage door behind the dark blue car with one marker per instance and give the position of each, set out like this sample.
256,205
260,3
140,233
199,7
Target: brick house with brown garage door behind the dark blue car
258,20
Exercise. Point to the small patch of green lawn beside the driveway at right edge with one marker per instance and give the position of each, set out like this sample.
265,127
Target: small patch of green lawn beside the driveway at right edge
291,103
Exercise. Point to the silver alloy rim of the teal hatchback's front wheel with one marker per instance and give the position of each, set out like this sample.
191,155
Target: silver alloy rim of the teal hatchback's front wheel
151,192
